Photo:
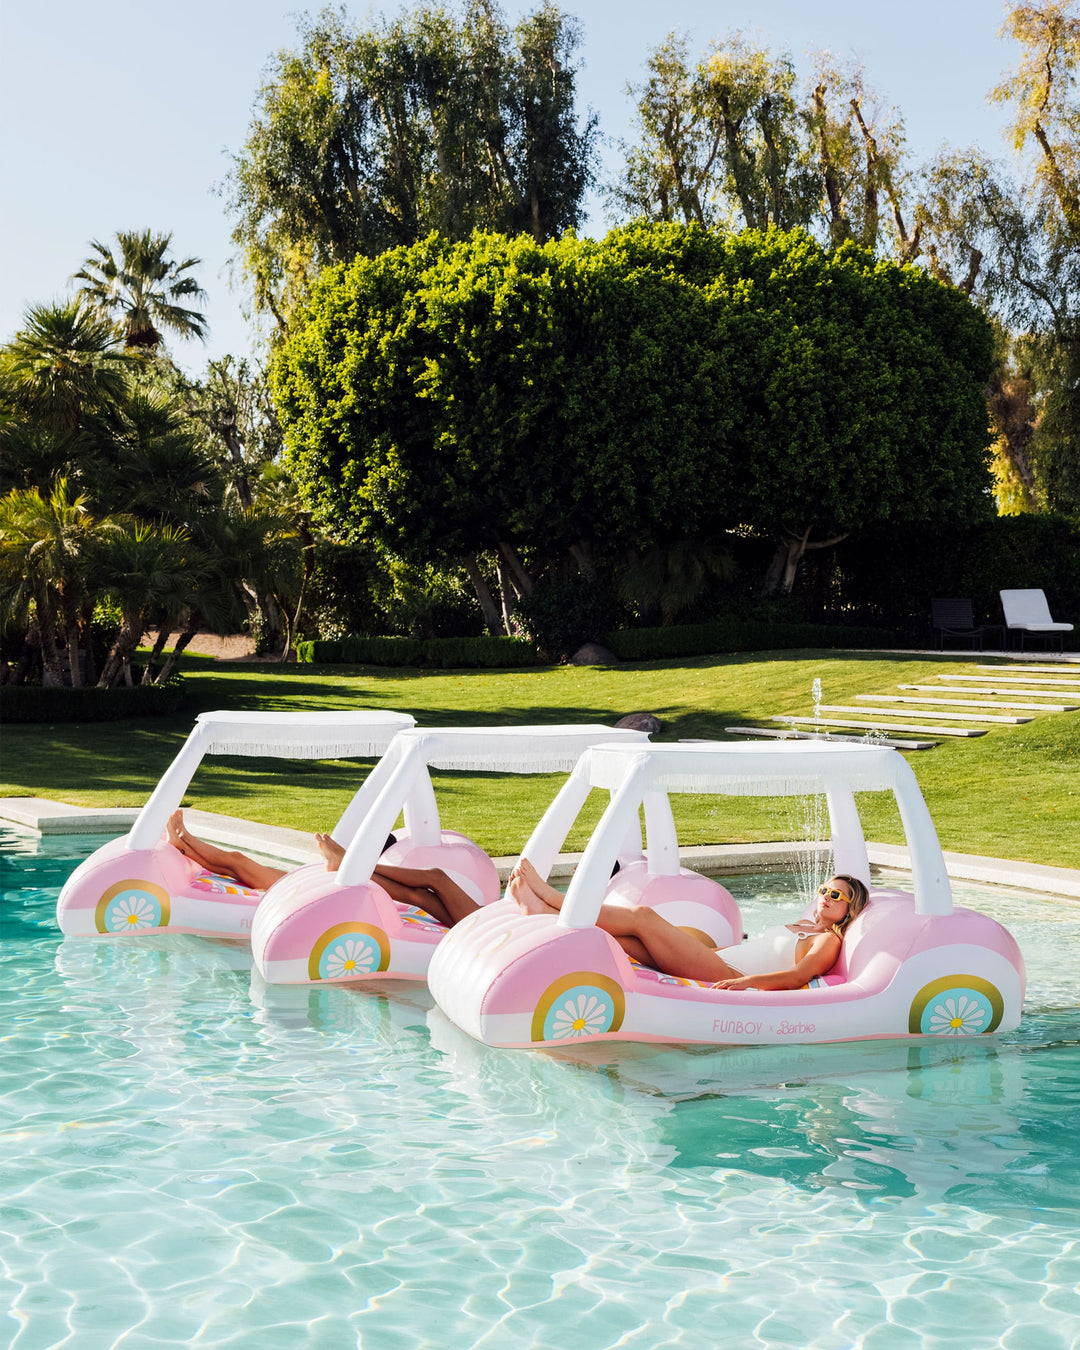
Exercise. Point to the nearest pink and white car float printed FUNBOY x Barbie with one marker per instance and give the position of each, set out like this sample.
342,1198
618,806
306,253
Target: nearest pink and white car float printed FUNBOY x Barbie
912,965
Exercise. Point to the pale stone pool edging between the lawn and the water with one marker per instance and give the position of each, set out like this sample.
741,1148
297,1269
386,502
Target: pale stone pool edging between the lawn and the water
279,844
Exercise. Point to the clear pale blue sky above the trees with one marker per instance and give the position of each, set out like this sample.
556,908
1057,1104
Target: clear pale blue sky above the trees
121,114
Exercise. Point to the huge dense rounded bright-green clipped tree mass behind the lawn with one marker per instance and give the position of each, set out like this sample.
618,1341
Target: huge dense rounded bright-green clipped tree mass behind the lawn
591,400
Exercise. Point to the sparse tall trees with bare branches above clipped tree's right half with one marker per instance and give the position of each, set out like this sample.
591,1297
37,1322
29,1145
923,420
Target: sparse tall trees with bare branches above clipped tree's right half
734,140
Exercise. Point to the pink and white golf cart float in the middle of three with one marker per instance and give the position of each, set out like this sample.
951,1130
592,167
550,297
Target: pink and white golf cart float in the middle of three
318,927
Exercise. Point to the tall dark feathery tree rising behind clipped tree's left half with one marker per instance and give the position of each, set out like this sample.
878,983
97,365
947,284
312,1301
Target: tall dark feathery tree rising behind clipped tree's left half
371,138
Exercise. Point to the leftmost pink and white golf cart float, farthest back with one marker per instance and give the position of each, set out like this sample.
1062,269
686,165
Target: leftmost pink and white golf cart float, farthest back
140,885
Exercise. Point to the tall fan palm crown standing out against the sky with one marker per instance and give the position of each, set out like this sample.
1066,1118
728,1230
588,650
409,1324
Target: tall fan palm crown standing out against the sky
144,291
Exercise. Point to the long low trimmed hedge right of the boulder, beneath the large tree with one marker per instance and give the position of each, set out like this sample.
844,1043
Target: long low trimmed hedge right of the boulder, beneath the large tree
647,645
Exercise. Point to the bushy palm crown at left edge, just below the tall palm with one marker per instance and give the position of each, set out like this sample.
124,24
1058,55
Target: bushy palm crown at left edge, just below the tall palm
63,367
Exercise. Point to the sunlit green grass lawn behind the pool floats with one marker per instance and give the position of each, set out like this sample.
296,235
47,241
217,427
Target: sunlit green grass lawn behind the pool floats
1015,793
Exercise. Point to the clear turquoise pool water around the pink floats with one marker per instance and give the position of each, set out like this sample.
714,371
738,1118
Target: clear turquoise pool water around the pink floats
192,1159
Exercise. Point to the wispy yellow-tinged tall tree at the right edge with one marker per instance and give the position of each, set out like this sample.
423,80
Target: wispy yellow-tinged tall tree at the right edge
1015,245
